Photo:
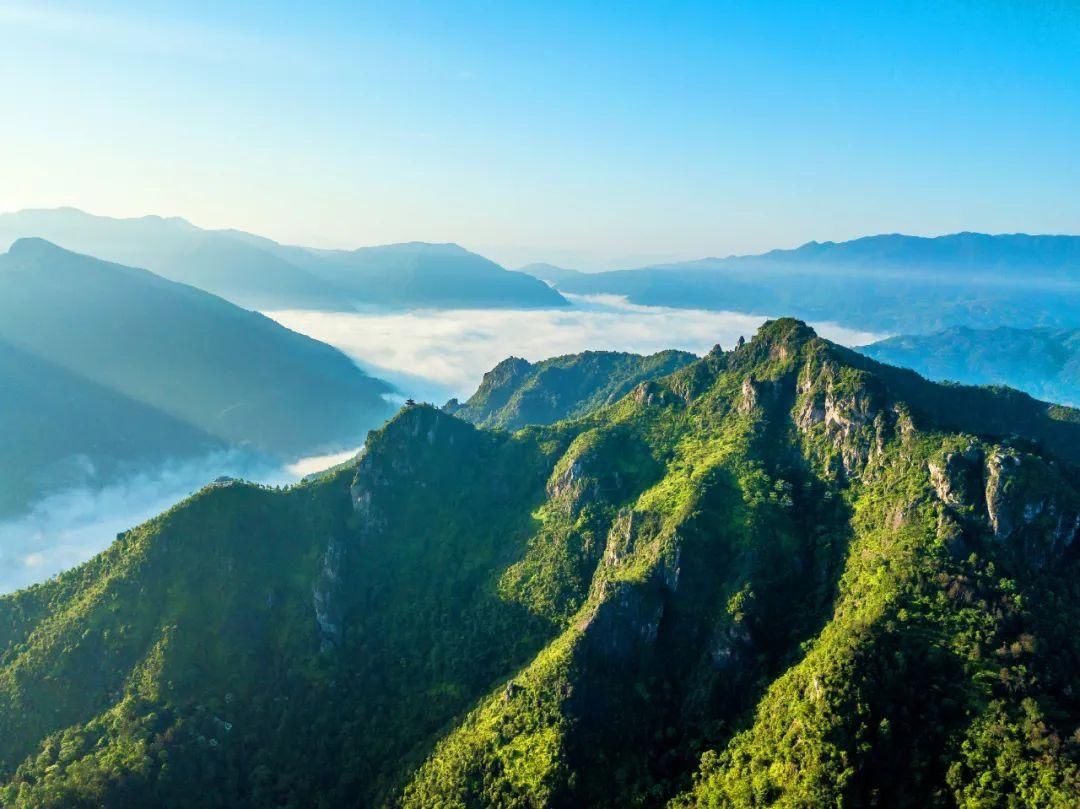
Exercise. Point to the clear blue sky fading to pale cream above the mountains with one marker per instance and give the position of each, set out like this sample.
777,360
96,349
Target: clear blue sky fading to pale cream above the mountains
587,133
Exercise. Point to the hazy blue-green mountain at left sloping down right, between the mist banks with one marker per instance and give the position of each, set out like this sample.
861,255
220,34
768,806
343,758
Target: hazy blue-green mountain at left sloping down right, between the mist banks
134,369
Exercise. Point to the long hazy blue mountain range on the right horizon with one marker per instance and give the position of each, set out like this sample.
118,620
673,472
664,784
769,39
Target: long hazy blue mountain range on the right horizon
895,284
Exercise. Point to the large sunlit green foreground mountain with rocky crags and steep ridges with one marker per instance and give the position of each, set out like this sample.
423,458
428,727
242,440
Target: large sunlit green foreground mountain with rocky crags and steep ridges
781,575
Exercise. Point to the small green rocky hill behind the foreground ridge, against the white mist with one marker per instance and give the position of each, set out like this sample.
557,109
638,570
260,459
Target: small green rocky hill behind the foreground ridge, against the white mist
516,393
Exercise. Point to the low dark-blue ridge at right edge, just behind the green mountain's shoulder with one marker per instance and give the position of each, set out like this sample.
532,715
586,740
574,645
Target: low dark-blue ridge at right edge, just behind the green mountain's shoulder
1044,362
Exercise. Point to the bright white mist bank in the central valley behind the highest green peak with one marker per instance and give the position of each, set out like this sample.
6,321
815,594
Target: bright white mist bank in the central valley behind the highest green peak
438,355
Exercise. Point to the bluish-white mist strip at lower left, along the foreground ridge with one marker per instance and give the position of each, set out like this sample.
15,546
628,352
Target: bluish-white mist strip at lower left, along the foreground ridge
66,529
